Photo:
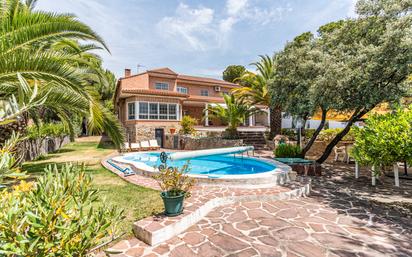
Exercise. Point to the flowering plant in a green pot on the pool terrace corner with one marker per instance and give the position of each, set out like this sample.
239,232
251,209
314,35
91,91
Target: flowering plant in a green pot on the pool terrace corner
175,185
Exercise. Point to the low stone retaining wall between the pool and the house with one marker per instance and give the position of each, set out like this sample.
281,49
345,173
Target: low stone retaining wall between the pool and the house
191,143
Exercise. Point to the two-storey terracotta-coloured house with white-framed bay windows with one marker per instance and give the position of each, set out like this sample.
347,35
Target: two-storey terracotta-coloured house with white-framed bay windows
152,103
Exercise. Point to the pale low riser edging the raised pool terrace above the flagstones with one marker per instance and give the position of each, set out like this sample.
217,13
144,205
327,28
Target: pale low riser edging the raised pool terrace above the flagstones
162,234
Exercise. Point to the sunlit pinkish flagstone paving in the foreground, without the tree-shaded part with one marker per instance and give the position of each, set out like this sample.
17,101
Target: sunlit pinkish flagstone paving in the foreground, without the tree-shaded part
302,227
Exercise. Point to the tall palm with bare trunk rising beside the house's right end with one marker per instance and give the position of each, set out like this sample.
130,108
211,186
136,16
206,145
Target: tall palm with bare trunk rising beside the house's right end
256,89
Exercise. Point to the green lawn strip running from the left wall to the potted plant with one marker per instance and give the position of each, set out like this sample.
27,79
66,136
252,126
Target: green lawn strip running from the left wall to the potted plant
138,202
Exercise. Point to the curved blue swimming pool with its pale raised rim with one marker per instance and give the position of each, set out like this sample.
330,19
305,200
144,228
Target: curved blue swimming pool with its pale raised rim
222,168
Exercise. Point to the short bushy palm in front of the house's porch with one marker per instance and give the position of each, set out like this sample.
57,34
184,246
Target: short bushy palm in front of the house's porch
233,113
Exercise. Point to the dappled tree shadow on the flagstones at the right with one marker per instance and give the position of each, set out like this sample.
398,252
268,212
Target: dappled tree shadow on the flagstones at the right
383,203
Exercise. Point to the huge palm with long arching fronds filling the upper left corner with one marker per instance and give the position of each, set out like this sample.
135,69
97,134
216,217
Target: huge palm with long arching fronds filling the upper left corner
31,43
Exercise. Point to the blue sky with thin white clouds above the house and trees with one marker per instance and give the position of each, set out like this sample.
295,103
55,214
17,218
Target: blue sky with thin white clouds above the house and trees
196,37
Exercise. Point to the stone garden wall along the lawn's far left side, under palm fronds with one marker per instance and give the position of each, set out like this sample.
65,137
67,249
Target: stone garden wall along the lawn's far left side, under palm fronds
33,148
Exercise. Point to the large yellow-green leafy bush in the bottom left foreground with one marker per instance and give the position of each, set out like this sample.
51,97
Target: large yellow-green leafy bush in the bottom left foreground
60,215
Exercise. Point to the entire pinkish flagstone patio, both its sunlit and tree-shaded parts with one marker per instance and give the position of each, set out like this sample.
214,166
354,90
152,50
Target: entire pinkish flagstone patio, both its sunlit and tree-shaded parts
342,217
